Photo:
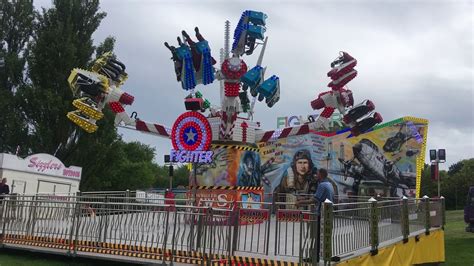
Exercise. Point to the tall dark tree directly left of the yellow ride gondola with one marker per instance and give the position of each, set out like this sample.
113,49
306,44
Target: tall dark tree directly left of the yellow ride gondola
61,42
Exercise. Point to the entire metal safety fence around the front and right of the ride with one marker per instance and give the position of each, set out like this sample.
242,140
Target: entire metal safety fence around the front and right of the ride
127,225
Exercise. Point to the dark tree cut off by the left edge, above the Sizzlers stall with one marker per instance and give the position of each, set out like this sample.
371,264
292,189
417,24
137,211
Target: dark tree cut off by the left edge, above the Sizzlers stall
16,29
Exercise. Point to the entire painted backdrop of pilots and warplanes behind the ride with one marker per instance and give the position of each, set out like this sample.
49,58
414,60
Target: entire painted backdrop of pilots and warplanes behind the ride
385,161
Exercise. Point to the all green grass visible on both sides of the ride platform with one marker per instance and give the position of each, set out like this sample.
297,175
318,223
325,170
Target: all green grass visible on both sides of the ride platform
459,249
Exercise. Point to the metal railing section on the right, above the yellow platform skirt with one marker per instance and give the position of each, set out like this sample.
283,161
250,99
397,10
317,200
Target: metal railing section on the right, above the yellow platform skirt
352,227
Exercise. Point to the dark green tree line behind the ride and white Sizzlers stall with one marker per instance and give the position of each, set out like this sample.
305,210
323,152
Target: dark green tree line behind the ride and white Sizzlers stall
38,49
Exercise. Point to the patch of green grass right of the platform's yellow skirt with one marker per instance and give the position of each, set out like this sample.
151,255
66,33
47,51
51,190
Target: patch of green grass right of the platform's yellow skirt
459,244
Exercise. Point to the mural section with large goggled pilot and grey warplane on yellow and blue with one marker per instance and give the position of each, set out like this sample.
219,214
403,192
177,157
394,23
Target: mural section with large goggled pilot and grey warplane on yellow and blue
381,162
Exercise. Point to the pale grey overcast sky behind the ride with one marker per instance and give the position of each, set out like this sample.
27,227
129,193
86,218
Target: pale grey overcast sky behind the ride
415,58
